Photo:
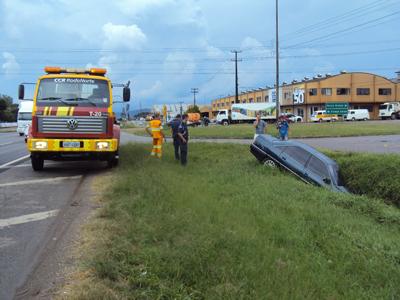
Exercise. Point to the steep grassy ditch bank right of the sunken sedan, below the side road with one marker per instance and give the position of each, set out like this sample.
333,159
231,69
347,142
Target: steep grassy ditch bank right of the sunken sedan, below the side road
374,175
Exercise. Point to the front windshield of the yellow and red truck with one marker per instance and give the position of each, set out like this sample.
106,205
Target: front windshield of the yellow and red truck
73,92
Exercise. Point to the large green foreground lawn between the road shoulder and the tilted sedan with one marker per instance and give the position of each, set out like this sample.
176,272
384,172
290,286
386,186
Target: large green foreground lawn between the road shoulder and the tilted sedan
225,227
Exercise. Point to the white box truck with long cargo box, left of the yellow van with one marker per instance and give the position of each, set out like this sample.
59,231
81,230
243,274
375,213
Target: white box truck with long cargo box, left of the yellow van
246,113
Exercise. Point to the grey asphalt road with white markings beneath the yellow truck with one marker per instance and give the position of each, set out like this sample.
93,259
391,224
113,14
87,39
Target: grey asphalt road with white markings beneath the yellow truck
36,209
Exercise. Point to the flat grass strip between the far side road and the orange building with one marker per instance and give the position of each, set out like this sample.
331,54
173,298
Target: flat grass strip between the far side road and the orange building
299,130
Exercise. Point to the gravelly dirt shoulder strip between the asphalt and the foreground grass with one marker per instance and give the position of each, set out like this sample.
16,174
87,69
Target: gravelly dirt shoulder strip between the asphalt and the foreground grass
58,256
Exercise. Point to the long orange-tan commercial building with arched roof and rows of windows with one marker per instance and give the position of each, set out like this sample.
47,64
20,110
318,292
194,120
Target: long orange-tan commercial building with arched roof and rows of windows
303,97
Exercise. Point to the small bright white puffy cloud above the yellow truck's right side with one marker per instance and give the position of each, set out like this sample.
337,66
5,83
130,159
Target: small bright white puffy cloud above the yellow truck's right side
123,36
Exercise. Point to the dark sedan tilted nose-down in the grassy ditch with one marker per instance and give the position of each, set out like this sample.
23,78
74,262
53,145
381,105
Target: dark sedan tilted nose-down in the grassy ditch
299,159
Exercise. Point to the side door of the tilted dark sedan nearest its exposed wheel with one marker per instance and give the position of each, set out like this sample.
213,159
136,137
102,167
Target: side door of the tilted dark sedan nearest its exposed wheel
295,159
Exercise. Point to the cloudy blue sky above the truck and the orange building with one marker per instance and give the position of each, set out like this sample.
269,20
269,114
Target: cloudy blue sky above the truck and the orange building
167,47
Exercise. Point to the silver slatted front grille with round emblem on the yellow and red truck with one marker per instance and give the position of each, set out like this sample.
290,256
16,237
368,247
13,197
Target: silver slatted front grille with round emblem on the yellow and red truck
81,125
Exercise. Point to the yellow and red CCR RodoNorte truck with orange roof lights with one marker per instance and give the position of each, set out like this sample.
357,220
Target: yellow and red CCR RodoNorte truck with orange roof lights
73,118
